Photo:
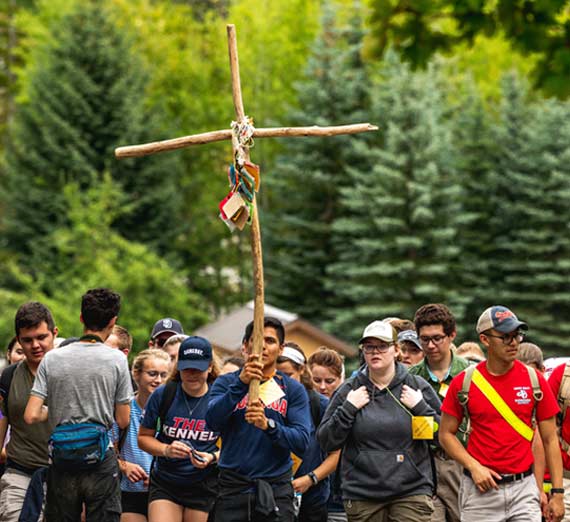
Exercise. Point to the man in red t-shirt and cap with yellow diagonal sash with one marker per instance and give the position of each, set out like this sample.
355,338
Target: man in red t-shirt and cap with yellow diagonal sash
498,484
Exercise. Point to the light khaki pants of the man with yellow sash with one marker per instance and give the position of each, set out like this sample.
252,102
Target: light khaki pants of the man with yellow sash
517,501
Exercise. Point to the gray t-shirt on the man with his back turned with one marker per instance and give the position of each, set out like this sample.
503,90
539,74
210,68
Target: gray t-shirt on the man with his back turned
83,381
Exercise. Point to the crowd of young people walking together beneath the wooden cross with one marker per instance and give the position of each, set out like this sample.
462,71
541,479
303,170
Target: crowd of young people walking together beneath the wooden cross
421,431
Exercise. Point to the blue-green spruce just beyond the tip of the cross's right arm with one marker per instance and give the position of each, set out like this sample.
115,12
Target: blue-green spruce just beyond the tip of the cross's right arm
397,237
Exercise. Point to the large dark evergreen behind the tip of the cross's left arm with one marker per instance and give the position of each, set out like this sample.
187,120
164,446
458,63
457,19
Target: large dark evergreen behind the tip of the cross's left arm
85,97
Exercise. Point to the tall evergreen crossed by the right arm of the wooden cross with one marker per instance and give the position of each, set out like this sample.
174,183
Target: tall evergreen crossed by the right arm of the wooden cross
308,176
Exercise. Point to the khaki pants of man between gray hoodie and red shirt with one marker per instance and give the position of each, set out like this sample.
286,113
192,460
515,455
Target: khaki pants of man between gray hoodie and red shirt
446,502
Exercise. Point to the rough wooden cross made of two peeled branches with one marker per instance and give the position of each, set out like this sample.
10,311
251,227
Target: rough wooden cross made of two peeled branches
219,135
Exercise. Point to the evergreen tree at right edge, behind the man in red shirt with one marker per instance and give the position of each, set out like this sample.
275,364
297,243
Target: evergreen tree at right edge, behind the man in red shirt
530,183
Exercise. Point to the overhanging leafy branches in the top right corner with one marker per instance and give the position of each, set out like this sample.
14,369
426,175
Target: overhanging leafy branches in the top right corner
418,29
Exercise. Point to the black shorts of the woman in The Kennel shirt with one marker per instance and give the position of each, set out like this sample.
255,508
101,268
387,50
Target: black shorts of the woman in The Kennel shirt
200,495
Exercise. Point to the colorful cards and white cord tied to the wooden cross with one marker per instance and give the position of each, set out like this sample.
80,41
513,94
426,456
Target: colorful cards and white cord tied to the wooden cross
236,208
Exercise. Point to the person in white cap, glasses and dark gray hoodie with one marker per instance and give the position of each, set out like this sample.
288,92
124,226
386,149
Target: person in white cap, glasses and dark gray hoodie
383,419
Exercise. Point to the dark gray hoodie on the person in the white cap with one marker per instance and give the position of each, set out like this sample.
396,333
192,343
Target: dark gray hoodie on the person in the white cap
380,460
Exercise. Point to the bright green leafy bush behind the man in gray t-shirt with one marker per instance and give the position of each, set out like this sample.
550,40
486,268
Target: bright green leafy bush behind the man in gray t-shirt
89,254
